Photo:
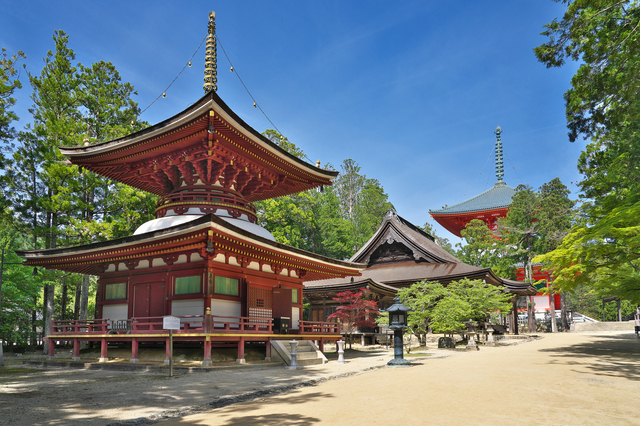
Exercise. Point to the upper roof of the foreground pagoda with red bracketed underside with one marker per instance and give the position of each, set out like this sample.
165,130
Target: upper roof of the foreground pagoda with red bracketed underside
205,133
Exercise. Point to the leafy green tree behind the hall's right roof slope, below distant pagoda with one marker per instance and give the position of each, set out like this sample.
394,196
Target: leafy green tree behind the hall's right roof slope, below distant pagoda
484,249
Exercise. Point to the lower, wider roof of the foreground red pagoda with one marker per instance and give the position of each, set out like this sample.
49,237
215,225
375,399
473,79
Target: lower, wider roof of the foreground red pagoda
171,242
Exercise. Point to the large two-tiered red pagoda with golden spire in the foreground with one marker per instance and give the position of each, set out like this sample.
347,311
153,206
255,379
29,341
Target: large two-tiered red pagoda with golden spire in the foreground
204,258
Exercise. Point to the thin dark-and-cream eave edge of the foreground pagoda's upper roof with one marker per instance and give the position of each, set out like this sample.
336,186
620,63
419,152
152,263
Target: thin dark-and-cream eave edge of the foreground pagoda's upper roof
210,101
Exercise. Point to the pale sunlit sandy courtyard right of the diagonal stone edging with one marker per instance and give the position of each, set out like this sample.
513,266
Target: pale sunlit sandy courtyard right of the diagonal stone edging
562,379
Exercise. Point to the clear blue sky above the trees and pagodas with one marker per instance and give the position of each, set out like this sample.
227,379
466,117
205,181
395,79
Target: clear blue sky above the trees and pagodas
411,90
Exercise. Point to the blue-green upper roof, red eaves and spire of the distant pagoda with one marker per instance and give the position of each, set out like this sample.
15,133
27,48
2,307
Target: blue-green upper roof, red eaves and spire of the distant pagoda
488,206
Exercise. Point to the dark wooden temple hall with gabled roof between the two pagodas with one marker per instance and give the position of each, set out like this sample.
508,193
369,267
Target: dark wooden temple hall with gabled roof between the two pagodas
398,255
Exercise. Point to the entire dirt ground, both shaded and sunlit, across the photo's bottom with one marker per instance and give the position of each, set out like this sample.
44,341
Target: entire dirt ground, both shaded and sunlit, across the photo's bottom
576,378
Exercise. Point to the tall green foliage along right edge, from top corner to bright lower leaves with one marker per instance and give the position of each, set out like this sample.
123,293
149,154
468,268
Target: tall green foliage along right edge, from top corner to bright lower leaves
601,249
